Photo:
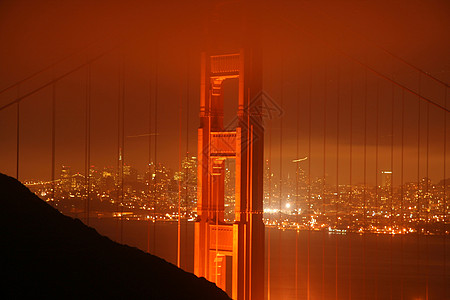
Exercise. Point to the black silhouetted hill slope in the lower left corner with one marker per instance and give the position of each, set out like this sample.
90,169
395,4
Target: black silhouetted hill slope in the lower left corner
47,254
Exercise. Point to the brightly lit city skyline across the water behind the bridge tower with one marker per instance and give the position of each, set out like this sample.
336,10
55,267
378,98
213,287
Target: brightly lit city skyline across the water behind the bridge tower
301,203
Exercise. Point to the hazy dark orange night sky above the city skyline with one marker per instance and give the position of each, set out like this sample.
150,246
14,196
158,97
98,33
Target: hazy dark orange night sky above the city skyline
314,54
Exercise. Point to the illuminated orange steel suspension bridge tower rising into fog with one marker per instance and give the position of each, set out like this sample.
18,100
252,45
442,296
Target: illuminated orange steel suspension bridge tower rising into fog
241,244
